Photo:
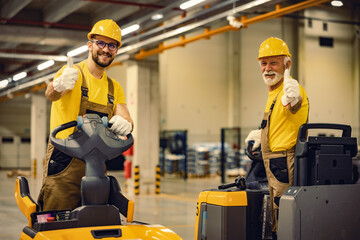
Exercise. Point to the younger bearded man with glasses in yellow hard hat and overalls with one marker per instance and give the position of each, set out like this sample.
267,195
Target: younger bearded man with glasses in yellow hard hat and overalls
76,90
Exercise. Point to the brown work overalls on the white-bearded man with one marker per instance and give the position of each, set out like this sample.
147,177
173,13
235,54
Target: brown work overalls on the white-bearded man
279,168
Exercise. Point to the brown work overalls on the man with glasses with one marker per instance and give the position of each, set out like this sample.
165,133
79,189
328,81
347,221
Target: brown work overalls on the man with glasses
62,173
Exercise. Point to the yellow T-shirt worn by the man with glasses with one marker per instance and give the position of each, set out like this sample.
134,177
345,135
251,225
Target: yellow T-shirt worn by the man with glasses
67,108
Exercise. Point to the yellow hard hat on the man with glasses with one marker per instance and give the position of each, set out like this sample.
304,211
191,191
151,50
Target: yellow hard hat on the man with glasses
107,28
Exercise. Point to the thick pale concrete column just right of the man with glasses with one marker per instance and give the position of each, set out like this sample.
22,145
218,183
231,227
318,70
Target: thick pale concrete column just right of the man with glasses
142,90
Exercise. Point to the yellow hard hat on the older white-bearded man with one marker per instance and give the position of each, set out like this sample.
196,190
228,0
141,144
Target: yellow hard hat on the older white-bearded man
273,47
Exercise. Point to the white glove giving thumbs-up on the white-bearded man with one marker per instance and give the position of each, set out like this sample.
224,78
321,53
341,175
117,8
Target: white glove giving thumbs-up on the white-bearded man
291,90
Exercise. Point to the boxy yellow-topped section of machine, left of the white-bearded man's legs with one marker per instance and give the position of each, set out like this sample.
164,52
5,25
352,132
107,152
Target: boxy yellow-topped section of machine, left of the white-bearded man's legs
229,214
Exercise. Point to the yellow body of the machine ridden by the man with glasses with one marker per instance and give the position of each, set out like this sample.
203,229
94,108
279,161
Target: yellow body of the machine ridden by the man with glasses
130,230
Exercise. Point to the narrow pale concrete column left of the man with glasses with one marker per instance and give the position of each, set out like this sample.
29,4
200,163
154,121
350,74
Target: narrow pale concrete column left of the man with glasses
38,134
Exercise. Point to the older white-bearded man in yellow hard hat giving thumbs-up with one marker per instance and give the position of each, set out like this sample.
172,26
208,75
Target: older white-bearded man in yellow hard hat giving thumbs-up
288,106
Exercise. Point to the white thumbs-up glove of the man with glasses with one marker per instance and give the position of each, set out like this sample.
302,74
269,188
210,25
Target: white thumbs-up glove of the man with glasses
67,79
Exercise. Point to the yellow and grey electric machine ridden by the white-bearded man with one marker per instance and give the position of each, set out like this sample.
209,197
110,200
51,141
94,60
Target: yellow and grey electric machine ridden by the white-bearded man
323,203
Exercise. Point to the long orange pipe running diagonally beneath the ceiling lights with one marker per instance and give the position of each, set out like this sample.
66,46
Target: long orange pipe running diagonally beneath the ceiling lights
244,23
